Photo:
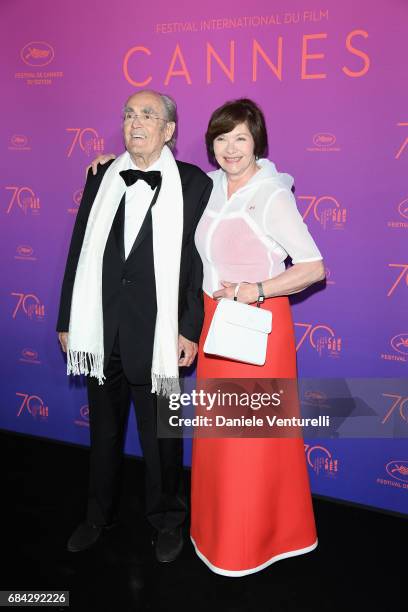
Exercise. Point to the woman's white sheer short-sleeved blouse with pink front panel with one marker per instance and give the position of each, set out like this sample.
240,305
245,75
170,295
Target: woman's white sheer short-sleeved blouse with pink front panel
248,236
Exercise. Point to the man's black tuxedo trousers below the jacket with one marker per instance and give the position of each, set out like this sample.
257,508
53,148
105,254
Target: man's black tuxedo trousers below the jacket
108,413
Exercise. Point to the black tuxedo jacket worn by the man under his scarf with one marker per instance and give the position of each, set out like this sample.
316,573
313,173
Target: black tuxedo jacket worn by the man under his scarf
128,285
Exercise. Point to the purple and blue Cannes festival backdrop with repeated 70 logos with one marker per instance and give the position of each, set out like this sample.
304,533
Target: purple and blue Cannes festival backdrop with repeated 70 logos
331,79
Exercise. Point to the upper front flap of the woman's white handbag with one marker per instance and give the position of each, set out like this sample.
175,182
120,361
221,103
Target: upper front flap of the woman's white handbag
245,315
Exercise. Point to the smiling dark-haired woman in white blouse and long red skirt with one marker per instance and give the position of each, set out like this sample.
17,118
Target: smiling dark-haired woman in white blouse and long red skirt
251,503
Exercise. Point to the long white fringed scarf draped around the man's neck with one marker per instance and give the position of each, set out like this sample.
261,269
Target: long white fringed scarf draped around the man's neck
85,353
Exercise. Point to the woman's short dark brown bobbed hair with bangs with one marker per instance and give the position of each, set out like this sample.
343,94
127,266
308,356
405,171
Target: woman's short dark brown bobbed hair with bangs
232,113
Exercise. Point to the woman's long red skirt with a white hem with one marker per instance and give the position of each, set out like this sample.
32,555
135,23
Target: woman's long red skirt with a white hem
251,503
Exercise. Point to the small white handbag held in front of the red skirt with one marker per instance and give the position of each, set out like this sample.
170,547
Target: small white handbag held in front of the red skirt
239,332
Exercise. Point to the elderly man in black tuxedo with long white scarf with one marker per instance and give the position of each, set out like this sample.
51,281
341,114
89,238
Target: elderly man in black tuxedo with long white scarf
131,312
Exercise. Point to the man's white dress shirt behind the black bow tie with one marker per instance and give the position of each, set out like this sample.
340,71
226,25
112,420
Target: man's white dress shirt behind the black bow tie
138,198
